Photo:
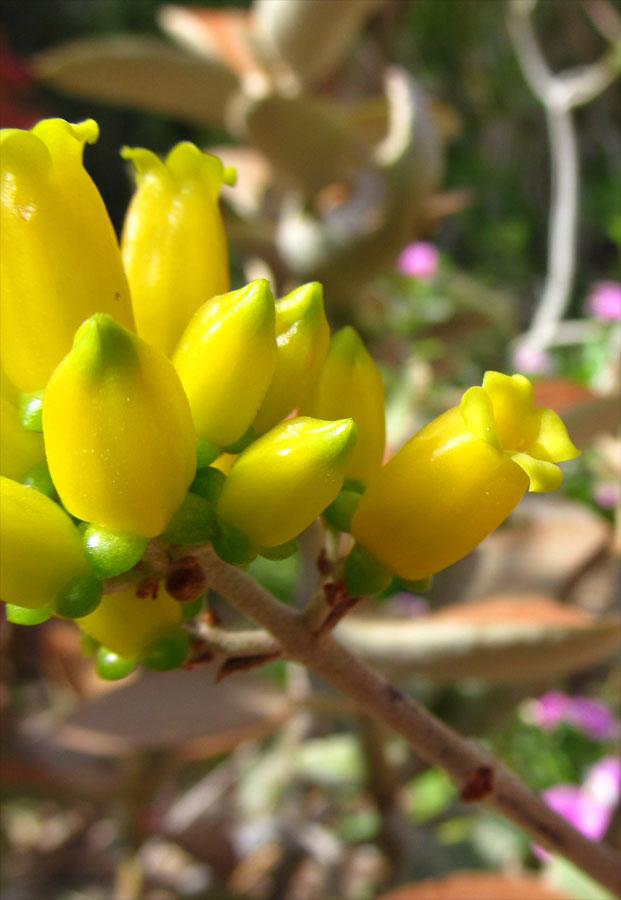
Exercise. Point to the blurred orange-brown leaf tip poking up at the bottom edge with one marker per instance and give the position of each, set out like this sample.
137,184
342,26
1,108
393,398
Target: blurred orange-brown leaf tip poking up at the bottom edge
476,886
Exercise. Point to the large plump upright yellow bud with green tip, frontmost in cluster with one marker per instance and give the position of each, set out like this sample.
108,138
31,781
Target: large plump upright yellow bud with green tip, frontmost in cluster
118,432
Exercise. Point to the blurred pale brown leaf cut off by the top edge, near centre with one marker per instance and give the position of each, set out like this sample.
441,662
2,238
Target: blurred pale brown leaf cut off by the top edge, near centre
312,38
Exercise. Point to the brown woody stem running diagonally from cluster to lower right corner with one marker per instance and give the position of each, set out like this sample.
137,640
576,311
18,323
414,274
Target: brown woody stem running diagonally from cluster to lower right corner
478,775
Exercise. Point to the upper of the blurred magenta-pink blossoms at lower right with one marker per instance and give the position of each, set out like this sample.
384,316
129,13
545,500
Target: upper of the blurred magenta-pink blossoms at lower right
589,715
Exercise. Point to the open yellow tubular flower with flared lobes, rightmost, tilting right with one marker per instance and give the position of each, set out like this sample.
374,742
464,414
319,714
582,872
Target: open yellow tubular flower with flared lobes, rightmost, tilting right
455,481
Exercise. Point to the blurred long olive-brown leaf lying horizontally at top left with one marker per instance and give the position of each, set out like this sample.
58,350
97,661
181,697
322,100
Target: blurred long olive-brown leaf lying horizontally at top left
141,73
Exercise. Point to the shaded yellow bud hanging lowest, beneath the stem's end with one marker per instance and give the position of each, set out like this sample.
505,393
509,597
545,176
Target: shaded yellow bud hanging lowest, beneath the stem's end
127,623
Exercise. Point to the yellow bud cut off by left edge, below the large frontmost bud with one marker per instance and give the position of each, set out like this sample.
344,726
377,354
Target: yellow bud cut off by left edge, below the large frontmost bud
41,548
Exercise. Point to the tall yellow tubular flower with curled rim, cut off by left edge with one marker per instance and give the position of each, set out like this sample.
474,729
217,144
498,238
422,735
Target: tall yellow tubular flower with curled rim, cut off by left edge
60,258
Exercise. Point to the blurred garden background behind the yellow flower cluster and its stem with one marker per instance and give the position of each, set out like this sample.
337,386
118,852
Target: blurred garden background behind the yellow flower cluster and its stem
395,151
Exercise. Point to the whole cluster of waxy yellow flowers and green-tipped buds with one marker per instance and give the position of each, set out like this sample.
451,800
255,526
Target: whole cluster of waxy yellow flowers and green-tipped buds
143,398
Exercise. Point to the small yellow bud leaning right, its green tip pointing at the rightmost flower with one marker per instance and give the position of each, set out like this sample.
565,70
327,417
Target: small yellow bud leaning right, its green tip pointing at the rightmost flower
286,478
